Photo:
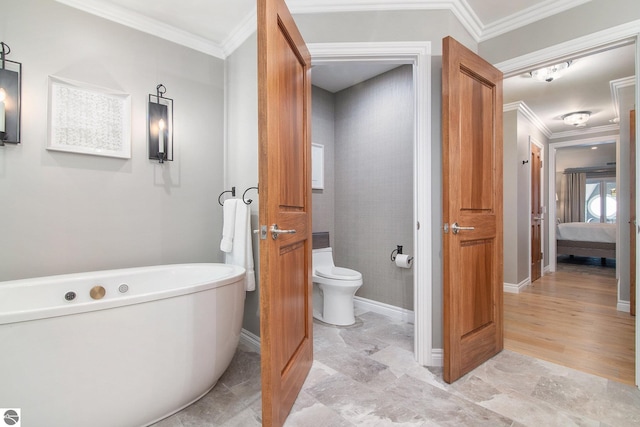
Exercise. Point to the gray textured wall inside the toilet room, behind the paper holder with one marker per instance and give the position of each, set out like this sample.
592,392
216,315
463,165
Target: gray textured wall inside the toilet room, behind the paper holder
374,183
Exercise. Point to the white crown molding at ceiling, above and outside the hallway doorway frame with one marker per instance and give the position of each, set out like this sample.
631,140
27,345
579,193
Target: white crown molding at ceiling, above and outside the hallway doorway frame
527,16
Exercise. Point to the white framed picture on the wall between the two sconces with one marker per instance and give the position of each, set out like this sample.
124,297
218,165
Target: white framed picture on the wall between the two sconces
88,119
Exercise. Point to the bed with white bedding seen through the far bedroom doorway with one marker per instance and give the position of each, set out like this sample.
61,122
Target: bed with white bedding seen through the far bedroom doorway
590,239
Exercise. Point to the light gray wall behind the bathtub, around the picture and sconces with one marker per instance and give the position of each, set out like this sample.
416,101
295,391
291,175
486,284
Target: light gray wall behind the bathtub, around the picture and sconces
66,212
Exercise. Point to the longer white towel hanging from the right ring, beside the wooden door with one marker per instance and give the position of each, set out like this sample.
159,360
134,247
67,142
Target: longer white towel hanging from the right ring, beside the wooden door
242,252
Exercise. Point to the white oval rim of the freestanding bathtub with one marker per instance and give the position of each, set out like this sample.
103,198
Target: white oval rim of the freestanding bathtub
66,309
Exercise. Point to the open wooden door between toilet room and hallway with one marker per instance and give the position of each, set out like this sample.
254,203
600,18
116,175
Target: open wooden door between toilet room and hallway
472,201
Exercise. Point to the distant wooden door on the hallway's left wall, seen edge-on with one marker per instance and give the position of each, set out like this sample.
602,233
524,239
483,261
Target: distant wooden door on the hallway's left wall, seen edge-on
536,214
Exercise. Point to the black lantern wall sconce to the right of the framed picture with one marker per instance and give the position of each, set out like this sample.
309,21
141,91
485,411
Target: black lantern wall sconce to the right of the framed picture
160,118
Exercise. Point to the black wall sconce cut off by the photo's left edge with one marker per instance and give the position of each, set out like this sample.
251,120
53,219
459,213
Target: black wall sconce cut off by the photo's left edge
10,89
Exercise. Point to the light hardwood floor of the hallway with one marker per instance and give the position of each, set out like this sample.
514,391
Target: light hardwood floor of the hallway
569,317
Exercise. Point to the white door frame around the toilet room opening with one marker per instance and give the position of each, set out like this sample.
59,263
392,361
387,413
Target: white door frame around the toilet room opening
419,55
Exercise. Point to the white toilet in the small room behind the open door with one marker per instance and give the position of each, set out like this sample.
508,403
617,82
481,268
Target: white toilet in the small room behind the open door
333,289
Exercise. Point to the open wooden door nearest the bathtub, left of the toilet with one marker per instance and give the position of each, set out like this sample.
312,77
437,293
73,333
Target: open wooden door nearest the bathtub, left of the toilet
284,101
